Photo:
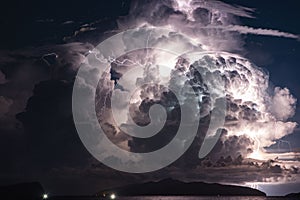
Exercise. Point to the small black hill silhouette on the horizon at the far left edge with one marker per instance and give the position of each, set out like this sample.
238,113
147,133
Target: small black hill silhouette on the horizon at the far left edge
22,191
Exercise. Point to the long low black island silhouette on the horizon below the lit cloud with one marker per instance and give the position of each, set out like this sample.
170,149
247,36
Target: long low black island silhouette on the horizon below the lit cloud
170,187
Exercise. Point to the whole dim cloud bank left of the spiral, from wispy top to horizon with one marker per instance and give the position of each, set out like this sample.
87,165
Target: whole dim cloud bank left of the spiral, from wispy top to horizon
37,82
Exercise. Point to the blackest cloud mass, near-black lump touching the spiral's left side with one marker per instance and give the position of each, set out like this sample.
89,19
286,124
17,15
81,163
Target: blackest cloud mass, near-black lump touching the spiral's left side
48,124
